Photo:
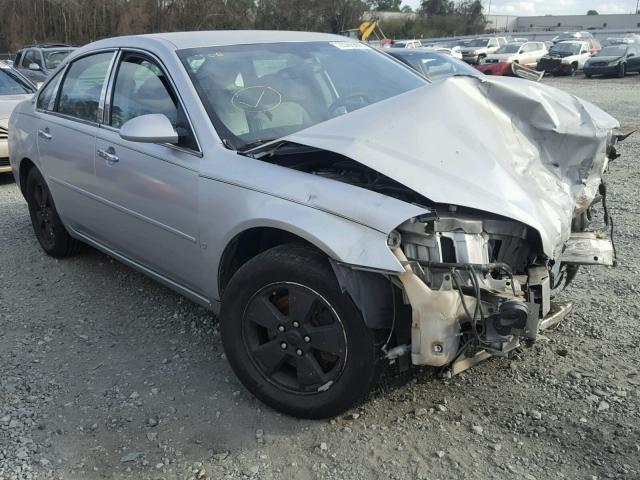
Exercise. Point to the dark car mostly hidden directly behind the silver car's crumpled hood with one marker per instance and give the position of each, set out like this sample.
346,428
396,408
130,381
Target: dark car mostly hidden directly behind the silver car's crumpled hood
432,64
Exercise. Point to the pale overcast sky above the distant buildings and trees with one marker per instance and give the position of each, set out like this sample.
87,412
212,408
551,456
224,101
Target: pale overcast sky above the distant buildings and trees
554,7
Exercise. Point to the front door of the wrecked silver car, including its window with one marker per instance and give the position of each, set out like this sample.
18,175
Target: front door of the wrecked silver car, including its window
150,191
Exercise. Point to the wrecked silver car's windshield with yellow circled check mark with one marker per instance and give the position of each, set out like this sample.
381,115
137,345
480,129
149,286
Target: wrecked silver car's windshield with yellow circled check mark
261,92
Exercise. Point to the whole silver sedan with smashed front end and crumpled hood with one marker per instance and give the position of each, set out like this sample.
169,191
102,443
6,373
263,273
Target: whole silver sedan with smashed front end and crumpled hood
337,210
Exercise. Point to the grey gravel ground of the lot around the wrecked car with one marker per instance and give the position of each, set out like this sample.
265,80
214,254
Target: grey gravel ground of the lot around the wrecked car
106,374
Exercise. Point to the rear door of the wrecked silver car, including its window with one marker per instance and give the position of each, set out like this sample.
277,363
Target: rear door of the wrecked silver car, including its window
69,109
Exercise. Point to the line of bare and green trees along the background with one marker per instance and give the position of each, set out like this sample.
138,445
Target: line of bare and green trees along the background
78,22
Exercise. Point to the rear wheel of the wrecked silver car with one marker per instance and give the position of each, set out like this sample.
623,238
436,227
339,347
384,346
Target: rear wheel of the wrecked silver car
50,232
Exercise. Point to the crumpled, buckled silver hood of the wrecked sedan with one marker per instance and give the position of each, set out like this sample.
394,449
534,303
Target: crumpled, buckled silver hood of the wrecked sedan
508,146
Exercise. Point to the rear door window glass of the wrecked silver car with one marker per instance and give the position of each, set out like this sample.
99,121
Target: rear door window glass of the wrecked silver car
82,86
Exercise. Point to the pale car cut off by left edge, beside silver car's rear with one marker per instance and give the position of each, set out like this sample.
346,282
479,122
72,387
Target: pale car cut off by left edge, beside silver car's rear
14,88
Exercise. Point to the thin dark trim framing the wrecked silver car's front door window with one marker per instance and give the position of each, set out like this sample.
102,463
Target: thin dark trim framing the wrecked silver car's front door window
106,113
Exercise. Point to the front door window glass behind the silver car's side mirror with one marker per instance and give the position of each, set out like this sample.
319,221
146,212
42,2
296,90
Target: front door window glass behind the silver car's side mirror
141,88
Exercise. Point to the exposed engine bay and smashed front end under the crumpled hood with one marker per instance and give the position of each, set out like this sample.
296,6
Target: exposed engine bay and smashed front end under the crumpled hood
477,284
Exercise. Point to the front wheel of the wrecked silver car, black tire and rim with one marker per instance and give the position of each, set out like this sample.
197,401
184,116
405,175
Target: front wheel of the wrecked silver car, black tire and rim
256,306
